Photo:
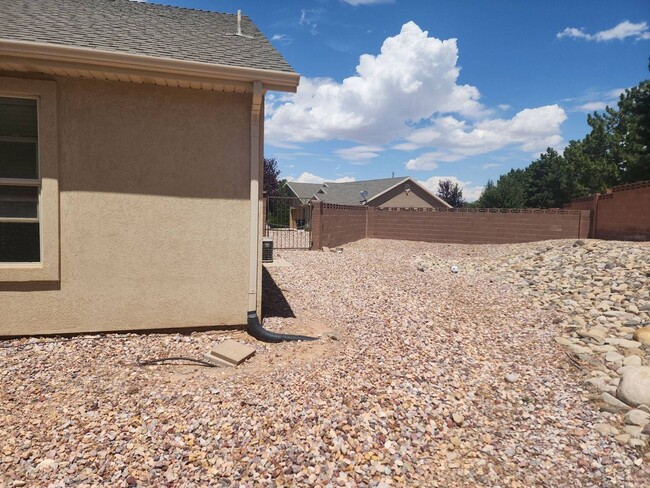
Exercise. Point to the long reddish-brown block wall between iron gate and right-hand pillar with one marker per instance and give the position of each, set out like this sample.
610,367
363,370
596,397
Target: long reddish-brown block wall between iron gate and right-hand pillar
334,225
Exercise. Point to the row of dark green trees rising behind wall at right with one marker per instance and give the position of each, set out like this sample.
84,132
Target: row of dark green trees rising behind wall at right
615,151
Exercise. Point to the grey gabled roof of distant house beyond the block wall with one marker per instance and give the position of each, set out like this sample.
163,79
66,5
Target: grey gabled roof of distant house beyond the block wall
350,193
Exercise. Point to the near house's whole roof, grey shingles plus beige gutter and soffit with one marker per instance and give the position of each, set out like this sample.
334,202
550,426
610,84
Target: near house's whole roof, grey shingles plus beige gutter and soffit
141,43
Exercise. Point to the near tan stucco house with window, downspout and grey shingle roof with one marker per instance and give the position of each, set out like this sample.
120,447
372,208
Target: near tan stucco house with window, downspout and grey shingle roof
131,139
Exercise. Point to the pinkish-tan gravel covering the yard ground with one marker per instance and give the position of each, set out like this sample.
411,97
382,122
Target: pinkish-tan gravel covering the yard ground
423,377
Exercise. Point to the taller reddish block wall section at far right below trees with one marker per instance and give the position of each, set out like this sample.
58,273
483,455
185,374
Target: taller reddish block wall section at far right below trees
624,213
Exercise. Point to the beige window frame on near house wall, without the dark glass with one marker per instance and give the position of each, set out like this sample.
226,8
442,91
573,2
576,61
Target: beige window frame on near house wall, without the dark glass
45,94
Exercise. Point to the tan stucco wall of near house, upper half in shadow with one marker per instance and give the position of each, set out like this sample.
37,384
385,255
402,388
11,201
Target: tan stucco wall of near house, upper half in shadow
154,212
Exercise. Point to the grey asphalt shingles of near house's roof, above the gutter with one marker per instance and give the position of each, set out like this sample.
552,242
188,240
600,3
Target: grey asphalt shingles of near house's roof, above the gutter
141,28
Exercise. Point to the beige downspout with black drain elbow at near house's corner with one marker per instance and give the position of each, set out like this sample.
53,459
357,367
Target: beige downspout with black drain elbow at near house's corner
253,322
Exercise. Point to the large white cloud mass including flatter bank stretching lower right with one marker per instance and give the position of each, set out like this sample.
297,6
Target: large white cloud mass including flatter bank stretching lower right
406,97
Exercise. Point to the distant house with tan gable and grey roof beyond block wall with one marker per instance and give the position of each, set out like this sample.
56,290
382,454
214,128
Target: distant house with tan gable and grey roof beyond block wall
388,192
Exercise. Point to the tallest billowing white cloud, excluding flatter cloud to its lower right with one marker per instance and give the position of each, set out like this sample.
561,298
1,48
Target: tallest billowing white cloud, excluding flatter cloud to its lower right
411,79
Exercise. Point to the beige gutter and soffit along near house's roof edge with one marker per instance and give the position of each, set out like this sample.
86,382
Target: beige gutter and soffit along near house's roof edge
53,56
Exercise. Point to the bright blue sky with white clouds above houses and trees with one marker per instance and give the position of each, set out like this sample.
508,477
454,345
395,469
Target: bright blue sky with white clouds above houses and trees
466,89
